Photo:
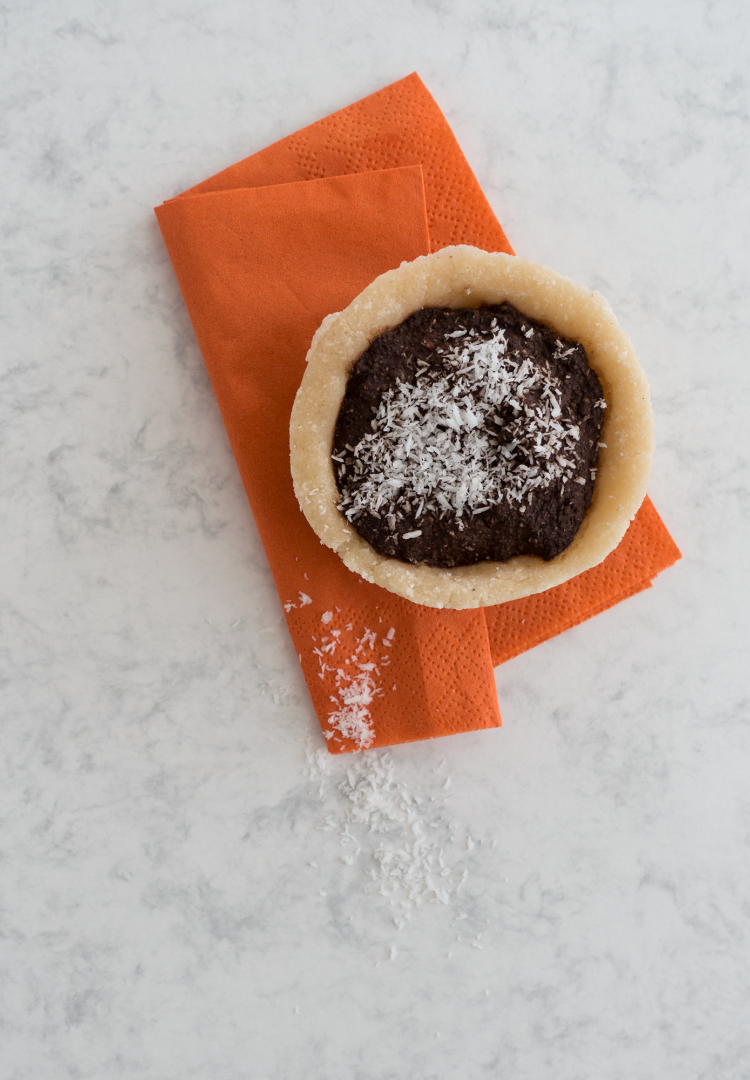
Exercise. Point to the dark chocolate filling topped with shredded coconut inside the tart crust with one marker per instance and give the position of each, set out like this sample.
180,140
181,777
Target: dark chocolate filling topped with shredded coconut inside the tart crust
468,436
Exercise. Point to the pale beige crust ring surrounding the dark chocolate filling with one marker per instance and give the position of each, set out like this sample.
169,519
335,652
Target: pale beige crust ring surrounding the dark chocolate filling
466,277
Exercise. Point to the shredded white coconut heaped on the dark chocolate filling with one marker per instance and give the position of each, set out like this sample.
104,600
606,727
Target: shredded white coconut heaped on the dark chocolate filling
459,442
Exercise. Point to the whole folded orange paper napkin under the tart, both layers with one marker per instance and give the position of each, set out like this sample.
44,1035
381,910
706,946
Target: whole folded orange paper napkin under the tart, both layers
263,252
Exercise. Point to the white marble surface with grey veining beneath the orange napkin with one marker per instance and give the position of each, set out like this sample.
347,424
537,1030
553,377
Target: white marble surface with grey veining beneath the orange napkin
173,906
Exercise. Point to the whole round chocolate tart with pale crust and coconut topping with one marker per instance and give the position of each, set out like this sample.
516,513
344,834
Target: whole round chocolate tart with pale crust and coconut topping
533,451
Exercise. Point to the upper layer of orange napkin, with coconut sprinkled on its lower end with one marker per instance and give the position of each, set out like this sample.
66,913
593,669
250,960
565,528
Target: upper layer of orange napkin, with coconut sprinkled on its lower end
260,268
